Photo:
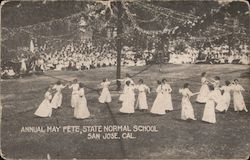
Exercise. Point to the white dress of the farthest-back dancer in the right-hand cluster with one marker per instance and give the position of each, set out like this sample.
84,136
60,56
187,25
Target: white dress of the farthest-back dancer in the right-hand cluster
202,96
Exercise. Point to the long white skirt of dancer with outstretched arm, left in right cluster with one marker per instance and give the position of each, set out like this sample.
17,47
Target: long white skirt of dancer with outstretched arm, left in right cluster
187,111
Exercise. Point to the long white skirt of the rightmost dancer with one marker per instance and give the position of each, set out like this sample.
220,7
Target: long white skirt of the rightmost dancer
239,103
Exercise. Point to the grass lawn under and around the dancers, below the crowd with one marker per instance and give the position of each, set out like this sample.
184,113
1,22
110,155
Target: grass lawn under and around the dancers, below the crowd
228,138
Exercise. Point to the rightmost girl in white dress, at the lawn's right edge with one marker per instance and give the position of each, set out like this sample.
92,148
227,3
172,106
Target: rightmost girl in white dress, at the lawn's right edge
239,103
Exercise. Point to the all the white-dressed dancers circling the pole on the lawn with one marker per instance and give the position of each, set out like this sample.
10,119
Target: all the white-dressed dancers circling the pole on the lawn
211,94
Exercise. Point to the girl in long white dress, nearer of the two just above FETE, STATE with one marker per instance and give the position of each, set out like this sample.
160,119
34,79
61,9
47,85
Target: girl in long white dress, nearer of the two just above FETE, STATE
81,110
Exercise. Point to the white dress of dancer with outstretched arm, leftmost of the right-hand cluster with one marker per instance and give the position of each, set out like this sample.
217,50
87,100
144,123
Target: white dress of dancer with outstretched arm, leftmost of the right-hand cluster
187,111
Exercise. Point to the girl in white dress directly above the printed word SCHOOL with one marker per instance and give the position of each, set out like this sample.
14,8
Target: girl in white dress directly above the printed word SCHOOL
142,97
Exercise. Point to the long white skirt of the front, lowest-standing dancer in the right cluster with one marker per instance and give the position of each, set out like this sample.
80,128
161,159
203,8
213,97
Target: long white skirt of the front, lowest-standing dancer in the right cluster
209,112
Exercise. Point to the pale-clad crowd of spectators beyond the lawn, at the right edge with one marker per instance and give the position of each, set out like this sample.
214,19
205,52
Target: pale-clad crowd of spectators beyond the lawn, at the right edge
211,55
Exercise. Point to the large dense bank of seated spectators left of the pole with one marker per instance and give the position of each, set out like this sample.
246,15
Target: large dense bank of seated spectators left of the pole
79,57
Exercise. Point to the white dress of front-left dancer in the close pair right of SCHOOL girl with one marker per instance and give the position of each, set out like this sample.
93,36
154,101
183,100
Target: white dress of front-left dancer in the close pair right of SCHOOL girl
159,105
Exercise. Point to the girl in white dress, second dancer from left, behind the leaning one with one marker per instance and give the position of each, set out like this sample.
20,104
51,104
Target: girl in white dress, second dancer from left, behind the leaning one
57,99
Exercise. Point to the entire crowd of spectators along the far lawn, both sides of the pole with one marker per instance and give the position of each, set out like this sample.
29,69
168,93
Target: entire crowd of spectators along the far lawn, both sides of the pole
85,56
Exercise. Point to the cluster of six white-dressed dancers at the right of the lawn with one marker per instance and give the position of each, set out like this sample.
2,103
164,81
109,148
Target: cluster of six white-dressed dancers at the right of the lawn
214,96
